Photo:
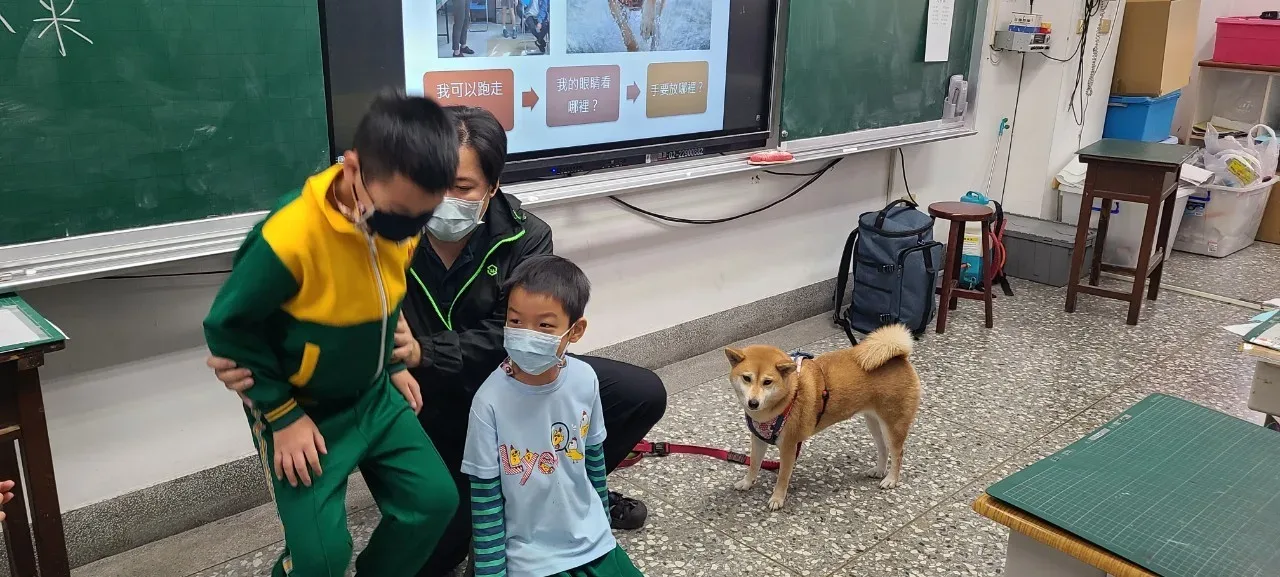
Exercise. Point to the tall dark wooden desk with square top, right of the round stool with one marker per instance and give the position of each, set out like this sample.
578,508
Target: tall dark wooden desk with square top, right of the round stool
1144,173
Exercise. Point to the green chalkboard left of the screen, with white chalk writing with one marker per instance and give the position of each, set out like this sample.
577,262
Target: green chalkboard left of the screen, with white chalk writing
117,115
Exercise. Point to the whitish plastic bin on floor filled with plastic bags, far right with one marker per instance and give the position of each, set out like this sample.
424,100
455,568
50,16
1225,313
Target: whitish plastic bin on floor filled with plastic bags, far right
1223,221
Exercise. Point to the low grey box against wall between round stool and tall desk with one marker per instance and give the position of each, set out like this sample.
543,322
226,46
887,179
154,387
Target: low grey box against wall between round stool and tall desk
1041,250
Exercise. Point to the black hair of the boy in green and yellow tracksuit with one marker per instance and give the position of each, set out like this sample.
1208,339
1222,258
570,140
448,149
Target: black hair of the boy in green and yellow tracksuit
409,136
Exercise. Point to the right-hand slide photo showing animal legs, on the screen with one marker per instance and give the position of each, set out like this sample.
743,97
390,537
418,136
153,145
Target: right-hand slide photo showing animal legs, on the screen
638,26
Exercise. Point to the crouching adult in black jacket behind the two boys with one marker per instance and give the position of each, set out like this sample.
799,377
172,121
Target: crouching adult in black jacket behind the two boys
451,332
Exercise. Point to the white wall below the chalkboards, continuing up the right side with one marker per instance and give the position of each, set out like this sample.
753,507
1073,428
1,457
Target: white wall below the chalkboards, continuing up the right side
131,404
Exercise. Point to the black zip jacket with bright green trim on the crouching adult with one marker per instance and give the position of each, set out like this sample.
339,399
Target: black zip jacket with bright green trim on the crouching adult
458,315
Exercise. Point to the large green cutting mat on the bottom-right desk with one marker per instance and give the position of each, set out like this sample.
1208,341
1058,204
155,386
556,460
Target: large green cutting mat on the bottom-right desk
1171,486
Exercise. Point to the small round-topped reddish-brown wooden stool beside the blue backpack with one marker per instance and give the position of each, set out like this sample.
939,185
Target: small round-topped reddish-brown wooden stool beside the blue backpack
949,295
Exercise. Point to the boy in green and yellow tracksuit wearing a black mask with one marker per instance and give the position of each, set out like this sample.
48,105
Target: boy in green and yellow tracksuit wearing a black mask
310,309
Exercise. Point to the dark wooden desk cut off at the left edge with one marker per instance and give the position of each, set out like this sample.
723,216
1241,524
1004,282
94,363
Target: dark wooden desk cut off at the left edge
22,420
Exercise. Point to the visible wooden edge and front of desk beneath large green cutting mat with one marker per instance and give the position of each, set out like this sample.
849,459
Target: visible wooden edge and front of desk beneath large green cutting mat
1039,549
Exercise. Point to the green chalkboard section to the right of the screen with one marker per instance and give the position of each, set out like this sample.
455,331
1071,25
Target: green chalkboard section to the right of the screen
860,65
